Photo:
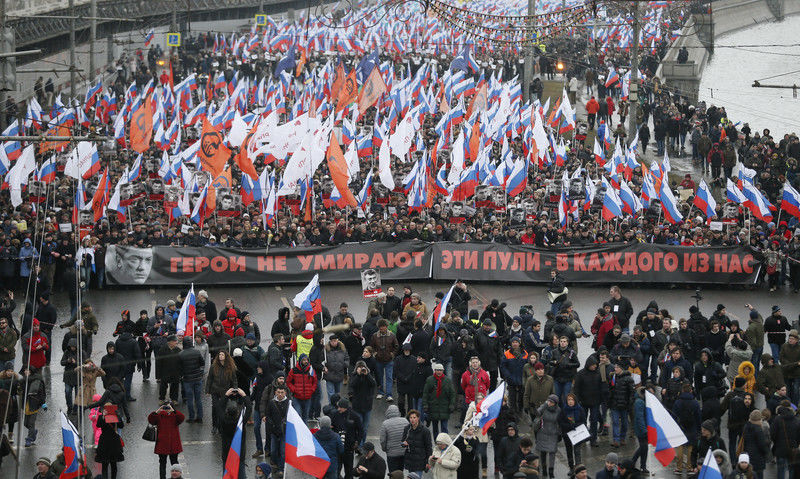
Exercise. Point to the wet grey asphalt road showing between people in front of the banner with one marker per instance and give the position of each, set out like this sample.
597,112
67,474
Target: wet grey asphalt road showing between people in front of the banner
201,456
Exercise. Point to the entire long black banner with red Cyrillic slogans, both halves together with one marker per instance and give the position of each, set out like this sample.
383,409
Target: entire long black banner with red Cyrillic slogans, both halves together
618,263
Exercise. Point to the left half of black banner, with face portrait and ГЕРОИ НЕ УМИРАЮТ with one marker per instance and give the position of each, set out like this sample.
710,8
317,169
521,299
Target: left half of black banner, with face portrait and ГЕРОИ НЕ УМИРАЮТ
163,265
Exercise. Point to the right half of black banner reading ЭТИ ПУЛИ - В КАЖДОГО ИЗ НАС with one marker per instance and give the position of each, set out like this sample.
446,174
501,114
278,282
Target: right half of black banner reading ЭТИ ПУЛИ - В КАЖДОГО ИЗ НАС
617,263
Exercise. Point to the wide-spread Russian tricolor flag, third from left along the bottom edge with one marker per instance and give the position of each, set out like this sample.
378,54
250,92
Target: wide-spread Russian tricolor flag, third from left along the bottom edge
303,452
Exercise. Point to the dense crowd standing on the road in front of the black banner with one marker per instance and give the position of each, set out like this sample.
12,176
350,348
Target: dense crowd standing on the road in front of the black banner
709,372
